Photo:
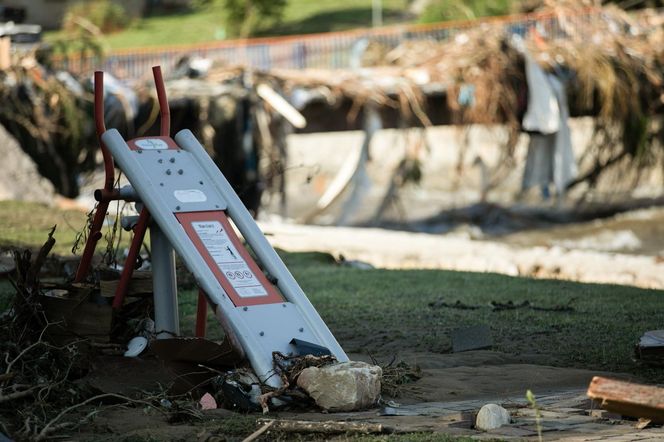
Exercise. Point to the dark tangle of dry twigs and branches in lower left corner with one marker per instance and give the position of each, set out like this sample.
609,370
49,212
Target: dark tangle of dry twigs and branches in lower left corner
43,387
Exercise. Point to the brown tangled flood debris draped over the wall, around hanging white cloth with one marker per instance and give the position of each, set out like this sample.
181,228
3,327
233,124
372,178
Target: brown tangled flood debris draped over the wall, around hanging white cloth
610,61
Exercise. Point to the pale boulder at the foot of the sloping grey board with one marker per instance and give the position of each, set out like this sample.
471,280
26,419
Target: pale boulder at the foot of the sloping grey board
346,386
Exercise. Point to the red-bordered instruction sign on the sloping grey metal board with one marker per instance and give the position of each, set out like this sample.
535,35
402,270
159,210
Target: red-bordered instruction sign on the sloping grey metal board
223,252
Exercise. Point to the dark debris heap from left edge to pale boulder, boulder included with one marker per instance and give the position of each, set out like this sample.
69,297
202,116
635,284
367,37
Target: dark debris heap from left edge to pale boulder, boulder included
57,356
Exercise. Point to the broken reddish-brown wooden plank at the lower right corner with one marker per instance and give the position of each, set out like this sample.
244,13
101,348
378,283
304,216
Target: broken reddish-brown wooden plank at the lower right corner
628,399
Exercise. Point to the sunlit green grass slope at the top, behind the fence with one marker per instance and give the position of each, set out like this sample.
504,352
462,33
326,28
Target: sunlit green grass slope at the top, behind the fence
207,23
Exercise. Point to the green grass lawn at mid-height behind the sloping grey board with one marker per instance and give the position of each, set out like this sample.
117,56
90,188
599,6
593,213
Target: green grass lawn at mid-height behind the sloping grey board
385,312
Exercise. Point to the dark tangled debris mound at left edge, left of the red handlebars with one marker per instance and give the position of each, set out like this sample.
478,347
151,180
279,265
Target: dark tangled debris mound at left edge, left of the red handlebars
47,113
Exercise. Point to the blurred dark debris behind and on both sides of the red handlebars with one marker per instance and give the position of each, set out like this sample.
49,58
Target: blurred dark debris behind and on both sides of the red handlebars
49,113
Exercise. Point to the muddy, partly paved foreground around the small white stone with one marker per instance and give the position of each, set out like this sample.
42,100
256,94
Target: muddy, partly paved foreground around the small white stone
439,406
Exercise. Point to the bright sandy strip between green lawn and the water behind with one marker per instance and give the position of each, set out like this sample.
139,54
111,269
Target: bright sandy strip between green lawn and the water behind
394,249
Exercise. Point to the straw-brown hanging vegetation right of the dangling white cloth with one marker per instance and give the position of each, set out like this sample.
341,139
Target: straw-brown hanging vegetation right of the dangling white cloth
618,65
